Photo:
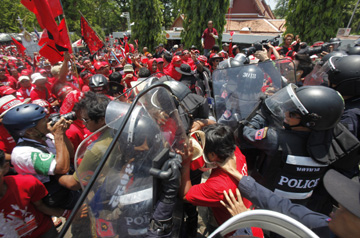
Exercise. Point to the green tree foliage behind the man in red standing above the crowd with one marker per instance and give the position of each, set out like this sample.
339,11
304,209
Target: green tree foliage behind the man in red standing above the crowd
197,14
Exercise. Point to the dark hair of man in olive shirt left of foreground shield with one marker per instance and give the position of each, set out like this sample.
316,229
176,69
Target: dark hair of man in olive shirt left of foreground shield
95,104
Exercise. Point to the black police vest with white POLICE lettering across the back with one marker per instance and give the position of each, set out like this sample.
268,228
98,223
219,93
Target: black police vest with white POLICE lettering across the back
291,172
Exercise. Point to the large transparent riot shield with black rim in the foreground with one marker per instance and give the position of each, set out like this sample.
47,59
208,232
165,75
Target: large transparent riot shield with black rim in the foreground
119,188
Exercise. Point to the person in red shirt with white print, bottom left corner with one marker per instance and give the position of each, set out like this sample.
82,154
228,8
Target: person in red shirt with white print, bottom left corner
22,210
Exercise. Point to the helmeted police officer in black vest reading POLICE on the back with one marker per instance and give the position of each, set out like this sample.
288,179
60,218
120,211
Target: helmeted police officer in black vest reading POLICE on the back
298,132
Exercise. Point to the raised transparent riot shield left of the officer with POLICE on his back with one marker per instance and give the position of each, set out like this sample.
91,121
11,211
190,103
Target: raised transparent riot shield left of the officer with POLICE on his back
238,90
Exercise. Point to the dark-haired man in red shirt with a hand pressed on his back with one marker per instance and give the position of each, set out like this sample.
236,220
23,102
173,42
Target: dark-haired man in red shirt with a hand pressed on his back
219,150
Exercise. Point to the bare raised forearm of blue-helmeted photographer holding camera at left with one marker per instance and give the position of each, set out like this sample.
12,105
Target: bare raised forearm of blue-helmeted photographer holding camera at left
62,151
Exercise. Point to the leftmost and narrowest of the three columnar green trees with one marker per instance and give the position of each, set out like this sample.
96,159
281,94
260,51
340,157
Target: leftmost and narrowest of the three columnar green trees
148,20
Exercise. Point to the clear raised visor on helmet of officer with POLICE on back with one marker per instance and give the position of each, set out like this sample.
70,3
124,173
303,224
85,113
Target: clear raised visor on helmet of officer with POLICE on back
285,100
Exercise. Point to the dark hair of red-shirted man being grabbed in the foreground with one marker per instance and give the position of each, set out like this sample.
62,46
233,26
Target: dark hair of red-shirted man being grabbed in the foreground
220,140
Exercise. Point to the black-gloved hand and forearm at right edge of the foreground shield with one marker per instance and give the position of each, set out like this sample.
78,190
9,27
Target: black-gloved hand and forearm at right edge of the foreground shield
171,186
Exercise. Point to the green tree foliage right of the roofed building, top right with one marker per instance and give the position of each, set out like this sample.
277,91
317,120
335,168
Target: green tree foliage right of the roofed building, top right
315,20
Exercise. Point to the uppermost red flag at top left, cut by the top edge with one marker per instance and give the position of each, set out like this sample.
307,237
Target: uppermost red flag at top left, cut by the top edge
45,12
